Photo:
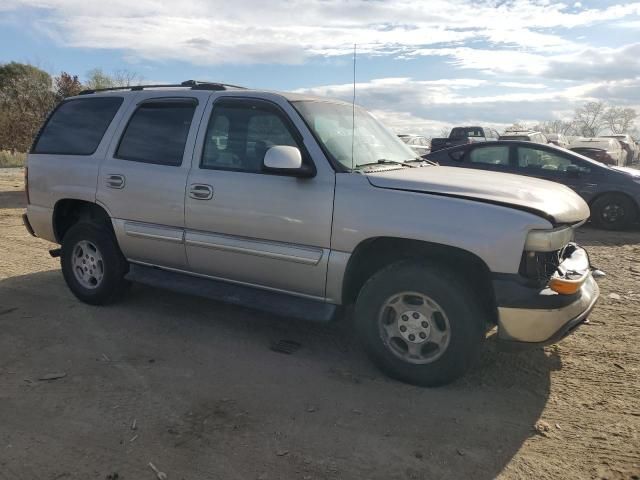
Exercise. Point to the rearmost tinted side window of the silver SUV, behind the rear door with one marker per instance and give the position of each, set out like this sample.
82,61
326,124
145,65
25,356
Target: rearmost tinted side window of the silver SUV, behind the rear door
76,127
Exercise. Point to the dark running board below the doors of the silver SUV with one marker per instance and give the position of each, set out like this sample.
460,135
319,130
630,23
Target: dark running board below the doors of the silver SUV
268,301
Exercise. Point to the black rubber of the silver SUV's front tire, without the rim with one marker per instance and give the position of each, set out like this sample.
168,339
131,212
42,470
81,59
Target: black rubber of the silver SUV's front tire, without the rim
460,305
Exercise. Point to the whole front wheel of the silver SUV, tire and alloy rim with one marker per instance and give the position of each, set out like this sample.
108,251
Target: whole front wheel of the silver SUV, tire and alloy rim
452,304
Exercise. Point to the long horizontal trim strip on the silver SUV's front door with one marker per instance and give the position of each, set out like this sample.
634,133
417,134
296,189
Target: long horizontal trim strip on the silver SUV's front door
261,248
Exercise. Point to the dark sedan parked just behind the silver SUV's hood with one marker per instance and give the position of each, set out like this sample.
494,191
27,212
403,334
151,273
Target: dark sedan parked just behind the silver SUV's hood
613,193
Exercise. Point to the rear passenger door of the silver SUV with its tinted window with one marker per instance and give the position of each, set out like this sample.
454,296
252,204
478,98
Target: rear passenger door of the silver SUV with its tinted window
143,177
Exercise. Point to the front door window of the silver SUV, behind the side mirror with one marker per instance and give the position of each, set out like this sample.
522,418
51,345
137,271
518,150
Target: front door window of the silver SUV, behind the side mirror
240,133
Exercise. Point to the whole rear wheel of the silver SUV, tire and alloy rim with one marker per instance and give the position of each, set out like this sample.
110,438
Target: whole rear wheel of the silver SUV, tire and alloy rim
93,249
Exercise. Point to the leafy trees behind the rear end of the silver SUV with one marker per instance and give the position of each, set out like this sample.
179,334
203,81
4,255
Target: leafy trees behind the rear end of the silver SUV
28,94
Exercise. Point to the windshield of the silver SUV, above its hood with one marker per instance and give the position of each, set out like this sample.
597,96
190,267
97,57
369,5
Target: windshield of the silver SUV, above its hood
369,143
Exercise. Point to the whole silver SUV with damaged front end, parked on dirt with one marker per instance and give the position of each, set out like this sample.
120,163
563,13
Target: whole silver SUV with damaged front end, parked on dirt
281,202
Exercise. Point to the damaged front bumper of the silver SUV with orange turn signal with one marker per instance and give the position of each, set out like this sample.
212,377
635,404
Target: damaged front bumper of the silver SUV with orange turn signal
529,317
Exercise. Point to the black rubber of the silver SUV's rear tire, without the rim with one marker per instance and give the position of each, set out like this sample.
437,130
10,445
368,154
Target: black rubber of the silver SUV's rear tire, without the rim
113,267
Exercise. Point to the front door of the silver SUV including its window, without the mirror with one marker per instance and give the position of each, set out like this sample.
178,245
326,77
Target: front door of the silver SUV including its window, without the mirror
249,226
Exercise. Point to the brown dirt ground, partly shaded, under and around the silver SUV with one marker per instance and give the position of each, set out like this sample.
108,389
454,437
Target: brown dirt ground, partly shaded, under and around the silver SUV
193,387
